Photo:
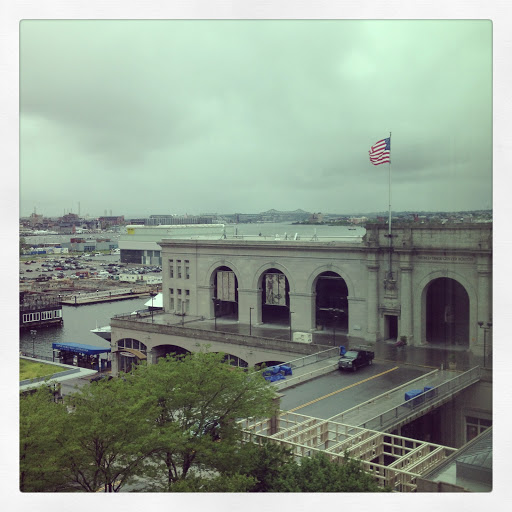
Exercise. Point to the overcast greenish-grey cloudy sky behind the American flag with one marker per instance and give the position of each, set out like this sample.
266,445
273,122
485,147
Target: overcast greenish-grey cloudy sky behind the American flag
156,117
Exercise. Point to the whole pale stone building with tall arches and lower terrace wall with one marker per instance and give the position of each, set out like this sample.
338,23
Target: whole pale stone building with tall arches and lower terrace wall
429,283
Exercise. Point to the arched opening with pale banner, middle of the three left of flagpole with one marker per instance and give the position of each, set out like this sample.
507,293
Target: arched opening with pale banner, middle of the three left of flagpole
275,298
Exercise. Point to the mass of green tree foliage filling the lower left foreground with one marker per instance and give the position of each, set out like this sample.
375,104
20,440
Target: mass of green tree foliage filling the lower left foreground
168,424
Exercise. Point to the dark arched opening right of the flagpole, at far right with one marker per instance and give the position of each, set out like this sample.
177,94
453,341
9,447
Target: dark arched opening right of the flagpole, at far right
447,312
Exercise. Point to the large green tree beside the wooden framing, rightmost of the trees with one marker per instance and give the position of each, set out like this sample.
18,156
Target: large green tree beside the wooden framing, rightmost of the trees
198,400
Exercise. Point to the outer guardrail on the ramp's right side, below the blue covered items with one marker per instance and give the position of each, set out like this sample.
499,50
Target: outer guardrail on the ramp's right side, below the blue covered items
422,401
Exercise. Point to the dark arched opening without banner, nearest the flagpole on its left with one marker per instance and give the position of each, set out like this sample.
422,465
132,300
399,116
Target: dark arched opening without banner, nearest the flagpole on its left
331,302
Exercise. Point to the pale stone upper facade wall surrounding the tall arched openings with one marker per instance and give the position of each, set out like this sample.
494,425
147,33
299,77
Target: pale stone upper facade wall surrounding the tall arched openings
388,279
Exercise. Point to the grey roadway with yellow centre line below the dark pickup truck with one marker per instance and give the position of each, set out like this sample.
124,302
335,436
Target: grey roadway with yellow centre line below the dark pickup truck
337,391
